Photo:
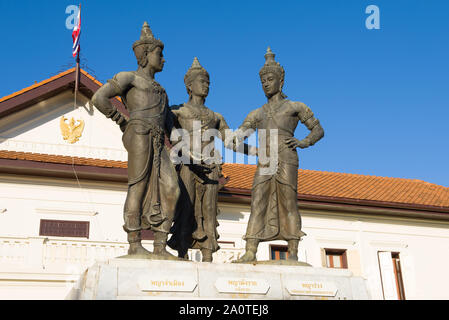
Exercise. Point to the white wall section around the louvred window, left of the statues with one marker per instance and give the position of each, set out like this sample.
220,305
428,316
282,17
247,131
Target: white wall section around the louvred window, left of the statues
29,200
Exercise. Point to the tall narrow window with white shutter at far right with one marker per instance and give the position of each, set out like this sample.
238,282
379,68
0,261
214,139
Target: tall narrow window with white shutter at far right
391,275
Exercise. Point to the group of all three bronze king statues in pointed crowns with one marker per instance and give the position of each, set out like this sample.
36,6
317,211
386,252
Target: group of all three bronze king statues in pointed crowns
181,198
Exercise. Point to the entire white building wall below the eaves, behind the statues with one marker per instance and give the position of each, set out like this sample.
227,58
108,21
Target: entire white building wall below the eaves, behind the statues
423,245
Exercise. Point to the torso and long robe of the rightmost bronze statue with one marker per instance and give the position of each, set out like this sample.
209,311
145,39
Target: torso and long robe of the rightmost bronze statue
274,209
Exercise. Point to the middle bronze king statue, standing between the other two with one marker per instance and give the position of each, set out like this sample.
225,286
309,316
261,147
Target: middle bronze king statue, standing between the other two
196,219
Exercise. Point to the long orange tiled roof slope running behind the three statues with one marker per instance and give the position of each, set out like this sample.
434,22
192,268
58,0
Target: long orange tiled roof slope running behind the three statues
310,183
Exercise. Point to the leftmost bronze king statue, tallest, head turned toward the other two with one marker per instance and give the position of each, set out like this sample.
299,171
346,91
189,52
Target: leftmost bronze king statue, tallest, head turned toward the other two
153,188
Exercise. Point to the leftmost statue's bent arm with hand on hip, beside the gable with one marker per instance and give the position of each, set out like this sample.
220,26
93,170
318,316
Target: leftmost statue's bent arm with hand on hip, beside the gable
109,90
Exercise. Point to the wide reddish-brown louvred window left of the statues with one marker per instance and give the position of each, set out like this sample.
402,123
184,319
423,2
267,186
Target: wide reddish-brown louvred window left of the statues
62,228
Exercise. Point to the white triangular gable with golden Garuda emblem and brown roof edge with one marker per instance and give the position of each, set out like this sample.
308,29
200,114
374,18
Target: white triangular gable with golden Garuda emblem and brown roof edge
54,125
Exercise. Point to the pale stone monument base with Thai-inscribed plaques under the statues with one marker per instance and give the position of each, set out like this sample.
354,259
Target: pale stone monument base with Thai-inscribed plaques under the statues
157,279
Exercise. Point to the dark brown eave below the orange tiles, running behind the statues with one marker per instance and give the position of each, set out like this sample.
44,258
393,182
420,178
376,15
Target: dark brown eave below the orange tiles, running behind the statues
233,195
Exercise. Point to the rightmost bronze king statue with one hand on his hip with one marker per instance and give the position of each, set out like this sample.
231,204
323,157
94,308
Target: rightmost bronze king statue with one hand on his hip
274,207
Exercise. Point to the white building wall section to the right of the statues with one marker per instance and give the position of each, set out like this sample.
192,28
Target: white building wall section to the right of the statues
423,247
